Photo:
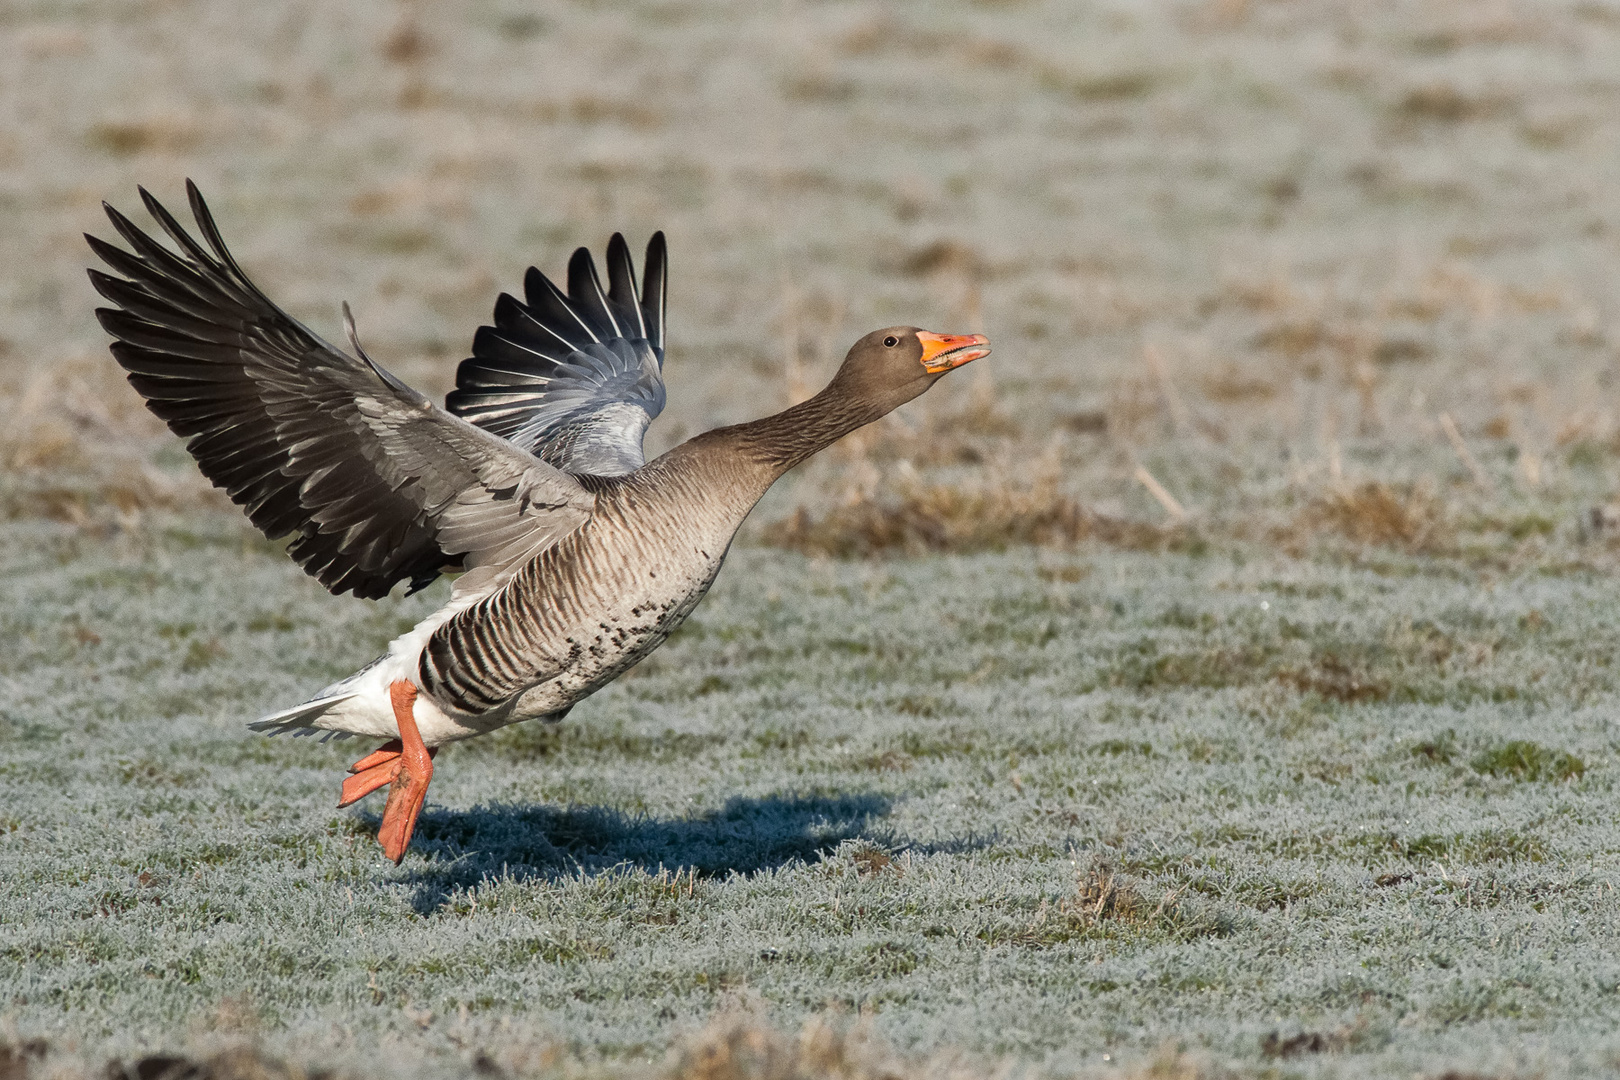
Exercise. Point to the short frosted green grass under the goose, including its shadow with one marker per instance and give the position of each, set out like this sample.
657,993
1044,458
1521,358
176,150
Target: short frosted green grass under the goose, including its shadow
1044,807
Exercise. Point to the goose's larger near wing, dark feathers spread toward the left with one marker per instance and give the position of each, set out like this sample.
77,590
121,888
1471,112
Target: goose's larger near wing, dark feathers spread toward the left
375,482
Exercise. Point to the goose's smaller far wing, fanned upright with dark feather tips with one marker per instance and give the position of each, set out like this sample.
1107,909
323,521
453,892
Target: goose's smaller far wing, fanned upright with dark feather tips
574,378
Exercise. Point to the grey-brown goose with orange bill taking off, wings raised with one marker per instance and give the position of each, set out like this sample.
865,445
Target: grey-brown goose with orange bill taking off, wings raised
576,556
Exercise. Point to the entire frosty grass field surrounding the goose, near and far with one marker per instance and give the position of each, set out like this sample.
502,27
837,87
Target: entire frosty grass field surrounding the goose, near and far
1297,754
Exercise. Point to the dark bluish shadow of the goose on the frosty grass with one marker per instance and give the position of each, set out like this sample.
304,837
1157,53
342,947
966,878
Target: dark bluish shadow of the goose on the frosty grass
539,843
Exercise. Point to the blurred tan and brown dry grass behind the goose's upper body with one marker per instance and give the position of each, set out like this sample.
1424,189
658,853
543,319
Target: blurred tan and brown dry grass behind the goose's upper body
1284,270
